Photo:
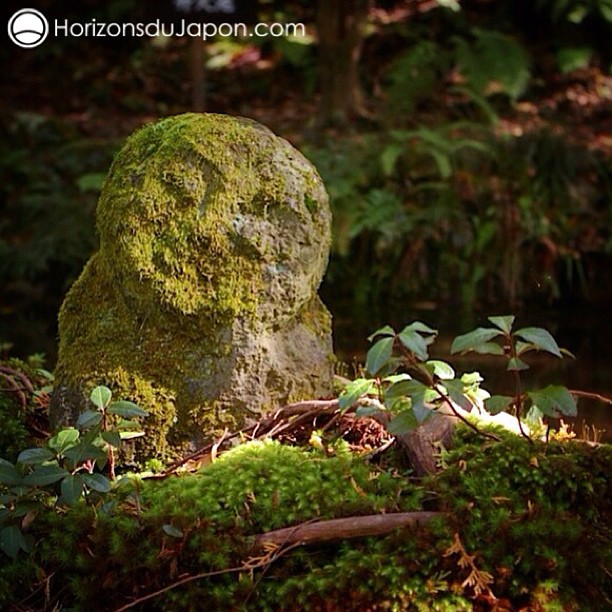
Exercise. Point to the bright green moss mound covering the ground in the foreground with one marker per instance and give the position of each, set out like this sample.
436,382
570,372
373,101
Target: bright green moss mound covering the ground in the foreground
525,527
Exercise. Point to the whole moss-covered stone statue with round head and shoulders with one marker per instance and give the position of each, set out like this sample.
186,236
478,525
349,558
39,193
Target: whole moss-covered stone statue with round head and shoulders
201,304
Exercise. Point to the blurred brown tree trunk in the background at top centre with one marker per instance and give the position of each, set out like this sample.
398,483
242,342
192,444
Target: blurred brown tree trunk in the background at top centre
341,27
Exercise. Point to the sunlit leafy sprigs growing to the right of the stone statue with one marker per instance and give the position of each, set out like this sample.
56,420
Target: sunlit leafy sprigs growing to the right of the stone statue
411,386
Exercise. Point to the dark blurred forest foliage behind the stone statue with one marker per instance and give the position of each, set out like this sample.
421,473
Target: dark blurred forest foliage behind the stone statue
465,146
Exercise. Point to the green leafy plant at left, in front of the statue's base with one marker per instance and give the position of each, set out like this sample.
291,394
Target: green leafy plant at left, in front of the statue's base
76,463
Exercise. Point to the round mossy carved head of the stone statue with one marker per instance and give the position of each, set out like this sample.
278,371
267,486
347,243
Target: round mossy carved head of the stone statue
213,212
